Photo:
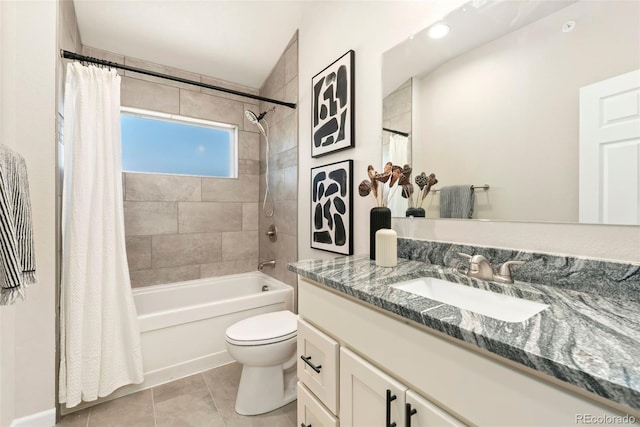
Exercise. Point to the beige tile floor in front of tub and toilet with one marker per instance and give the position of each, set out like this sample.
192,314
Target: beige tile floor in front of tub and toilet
205,399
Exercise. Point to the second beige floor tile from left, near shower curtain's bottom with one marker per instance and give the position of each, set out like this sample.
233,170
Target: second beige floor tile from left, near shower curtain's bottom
134,410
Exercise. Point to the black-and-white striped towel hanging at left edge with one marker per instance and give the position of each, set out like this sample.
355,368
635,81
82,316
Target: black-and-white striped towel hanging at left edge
17,261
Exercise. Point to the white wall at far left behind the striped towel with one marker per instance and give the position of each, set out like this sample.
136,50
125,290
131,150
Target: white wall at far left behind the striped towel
27,112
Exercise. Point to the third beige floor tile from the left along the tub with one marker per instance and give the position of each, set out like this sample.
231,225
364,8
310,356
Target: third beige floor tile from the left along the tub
185,402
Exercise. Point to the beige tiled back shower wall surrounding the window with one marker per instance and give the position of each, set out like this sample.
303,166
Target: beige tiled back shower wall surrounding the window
179,227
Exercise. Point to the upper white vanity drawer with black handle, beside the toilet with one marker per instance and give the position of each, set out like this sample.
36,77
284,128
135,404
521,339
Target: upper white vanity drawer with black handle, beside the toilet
318,364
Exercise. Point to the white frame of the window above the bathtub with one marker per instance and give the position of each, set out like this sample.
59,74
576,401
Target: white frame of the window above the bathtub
175,118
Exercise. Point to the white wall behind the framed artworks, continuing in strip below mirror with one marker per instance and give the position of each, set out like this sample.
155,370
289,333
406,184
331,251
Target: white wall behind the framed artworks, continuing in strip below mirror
330,29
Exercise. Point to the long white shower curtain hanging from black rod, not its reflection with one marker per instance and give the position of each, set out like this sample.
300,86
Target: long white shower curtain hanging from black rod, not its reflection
99,336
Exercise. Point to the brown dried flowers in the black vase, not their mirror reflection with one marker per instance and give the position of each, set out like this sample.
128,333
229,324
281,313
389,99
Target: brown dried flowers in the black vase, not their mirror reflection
381,185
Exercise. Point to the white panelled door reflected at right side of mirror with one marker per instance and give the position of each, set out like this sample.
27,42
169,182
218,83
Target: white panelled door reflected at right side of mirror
610,150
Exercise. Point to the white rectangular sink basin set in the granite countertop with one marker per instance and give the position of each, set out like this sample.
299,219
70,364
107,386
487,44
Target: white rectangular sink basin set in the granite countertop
487,303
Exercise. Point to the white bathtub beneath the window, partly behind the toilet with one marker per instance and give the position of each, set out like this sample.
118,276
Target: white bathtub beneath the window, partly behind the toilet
182,325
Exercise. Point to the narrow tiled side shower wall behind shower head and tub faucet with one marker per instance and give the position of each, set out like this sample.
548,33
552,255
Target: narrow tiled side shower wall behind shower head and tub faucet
281,84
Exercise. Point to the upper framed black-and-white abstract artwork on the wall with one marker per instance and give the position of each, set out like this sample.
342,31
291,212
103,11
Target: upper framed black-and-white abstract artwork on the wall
332,107
